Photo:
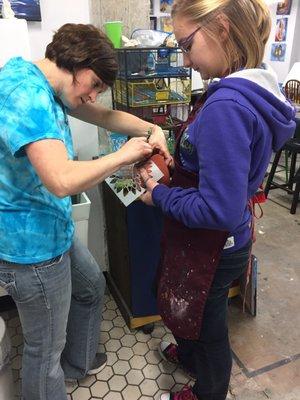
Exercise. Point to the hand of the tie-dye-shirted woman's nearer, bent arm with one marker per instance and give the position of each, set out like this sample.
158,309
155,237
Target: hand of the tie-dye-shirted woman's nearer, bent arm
136,149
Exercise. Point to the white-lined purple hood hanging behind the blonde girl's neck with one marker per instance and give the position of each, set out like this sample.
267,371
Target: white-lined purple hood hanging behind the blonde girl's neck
259,86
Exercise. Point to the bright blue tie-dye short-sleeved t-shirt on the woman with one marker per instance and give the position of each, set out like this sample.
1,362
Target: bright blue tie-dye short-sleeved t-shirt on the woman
35,225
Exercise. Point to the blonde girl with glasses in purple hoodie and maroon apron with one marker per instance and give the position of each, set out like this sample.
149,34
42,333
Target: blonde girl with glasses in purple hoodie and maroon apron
221,157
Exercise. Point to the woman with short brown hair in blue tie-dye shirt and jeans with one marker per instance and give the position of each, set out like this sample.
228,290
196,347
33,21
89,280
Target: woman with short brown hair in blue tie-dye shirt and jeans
54,280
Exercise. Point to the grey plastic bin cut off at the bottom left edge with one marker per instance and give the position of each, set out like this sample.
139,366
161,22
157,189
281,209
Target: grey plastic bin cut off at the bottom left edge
6,380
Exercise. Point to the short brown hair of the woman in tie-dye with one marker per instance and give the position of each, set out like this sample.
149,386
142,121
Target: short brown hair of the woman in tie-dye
78,46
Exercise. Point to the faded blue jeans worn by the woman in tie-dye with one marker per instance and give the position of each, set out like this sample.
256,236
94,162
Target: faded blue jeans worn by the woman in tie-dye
59,303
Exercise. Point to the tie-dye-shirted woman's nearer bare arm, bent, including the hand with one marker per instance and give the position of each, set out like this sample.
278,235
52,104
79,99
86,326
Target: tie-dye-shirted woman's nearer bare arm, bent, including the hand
64,177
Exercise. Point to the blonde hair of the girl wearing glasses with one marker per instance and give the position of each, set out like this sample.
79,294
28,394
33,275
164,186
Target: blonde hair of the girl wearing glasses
249,27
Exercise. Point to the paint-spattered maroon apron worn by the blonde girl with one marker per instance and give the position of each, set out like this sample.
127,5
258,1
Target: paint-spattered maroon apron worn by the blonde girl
188,262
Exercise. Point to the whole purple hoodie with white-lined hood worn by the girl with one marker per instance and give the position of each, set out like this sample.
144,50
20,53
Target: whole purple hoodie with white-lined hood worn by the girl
229,144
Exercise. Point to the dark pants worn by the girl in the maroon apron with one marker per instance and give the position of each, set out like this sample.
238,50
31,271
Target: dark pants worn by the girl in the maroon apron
210,357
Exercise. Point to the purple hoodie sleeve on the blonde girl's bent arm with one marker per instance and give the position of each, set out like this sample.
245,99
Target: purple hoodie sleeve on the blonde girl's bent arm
222,136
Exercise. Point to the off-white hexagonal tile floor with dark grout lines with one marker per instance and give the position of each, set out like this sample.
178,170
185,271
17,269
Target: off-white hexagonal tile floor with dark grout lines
134,368
